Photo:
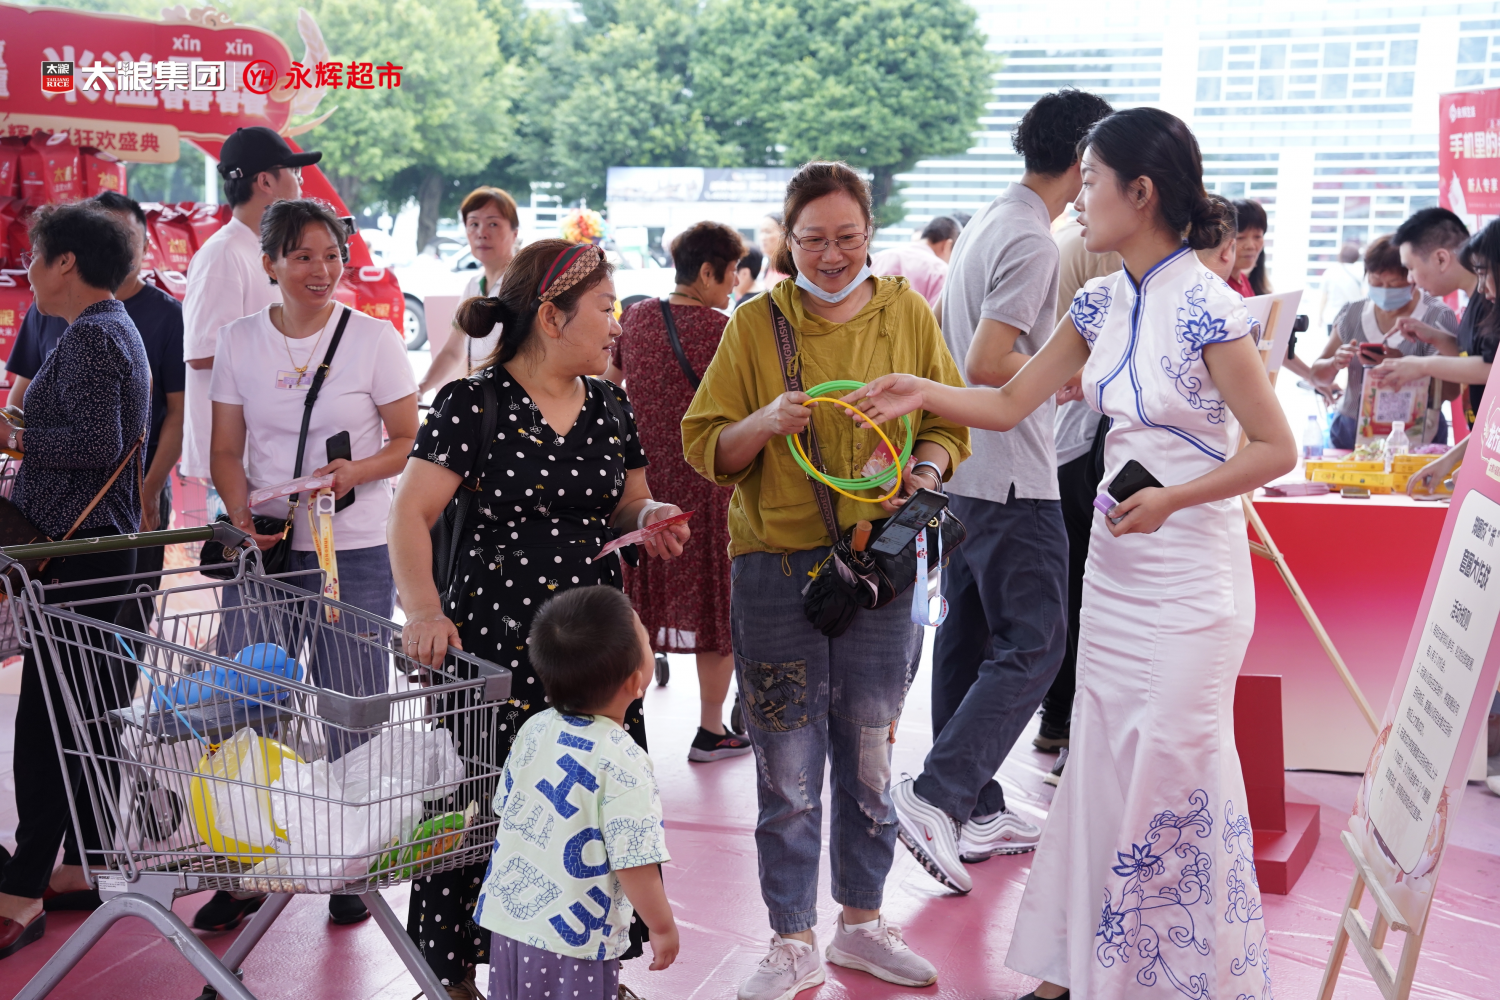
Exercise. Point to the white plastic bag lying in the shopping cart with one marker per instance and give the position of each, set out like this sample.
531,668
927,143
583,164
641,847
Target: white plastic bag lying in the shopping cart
340,816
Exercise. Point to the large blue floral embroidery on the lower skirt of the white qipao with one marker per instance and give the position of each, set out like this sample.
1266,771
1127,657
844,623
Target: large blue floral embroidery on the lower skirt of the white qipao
1168,894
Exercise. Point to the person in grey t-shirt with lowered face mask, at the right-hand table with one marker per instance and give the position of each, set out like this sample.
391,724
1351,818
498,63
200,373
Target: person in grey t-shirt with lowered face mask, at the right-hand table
1370,332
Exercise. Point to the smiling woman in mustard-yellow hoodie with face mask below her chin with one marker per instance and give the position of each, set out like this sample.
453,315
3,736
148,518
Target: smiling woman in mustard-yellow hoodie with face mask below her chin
809,699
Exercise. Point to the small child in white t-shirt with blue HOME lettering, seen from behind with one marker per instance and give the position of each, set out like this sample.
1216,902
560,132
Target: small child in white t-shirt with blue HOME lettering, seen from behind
581,834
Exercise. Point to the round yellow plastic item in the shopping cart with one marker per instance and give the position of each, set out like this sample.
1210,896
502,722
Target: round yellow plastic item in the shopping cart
242,770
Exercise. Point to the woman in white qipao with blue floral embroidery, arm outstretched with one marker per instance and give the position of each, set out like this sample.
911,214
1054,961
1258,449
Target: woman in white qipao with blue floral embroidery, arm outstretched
1150,818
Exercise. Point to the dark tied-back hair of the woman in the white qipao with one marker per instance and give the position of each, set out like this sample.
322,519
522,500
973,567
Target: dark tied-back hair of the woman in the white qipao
1153,143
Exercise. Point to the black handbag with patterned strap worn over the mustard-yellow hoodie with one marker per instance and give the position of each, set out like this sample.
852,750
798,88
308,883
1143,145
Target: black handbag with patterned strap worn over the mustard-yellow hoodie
850,581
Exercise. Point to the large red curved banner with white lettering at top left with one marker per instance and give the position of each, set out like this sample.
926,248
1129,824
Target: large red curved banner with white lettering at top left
32,37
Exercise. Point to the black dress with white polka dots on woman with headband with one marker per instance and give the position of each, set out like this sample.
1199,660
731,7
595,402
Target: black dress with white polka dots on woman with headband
541,515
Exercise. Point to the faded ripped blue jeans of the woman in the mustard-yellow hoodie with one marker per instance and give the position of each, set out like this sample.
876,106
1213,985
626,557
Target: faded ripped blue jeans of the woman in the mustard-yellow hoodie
809,699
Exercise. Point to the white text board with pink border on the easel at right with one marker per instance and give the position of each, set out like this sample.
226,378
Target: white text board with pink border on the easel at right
1418,768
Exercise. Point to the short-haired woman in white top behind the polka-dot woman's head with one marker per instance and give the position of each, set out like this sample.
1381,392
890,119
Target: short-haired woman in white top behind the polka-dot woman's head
491,224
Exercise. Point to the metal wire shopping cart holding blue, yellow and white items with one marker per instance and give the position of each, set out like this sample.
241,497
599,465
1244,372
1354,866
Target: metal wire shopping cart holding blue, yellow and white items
251,744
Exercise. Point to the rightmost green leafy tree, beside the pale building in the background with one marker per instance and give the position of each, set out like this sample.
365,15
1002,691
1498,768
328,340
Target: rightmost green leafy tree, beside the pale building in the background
877,83
